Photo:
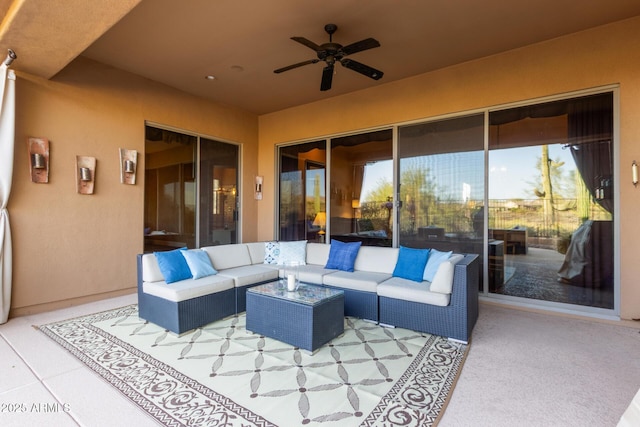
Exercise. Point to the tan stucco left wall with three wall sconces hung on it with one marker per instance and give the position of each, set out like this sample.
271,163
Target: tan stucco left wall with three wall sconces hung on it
70,248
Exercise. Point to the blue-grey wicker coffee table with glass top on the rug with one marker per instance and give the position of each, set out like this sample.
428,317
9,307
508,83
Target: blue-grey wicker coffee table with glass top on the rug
307,318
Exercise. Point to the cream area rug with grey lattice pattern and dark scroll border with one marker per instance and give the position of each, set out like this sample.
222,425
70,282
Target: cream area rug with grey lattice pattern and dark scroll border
222,375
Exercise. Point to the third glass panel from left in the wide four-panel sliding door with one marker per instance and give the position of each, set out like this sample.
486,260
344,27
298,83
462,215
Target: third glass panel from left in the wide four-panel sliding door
441,176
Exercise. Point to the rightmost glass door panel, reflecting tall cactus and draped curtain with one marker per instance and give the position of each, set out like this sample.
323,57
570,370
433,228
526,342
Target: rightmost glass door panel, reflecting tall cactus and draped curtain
551,200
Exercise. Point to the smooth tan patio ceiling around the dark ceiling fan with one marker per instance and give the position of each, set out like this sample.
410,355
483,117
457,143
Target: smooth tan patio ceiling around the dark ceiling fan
241,42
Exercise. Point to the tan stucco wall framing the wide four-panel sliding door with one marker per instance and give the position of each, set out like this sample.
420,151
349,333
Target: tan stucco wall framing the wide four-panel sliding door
599,57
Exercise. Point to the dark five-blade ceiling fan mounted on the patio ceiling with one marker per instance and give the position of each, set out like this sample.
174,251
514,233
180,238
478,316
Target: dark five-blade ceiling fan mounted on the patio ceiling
332,52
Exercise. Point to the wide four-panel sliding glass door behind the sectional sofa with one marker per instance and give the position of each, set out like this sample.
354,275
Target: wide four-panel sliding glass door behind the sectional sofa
529,189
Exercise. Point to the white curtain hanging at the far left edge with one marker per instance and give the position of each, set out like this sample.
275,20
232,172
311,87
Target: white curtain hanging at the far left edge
7,134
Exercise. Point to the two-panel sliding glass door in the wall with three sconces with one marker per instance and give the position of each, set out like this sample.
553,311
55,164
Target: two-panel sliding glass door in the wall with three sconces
184,207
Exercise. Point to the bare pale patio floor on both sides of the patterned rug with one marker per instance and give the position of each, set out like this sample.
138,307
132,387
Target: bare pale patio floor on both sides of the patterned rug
522,368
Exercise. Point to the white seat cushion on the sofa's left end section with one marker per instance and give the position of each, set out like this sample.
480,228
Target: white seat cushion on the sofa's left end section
189,288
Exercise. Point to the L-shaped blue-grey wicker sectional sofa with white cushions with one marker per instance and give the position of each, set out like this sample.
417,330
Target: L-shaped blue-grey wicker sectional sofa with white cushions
371,291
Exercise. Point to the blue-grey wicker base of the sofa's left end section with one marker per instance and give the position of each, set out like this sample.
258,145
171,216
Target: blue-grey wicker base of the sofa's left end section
183,316
